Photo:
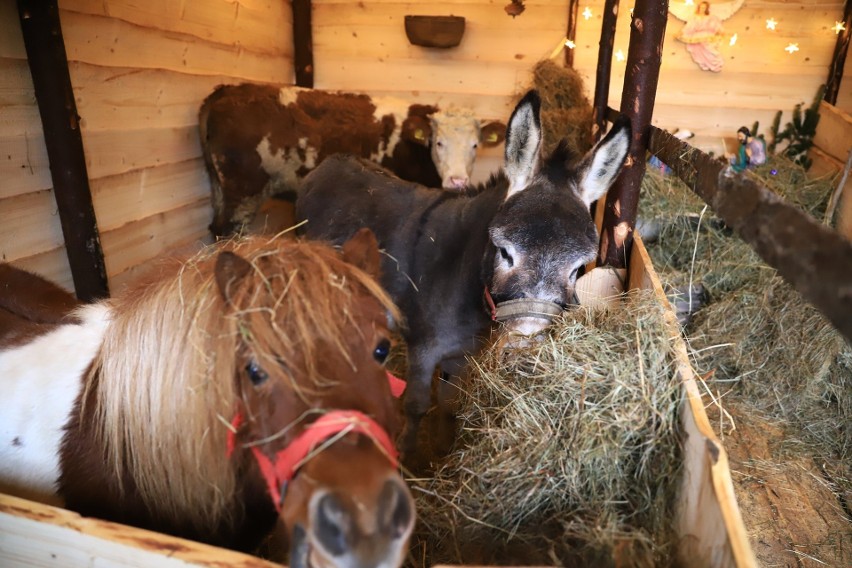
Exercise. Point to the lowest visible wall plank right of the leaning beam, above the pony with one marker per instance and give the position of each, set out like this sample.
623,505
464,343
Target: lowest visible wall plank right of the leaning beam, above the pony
144,239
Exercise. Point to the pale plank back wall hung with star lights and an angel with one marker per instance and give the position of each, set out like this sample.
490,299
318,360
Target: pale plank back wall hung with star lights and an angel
362,46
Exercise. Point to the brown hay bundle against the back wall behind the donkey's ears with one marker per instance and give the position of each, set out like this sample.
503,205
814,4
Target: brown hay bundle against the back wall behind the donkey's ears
565,110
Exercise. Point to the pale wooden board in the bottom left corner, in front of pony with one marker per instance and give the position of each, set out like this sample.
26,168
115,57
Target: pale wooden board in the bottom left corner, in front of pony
38,535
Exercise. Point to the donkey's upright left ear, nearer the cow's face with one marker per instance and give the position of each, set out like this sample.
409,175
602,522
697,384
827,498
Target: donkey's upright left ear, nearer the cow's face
523,143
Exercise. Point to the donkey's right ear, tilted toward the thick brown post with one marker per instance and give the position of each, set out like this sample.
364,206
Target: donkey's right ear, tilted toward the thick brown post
602,164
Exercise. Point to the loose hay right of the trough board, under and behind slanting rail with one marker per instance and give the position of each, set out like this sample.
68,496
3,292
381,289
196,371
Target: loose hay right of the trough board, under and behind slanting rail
763,344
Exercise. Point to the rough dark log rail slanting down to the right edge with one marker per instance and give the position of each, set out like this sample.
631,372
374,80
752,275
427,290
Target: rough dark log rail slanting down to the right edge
814,259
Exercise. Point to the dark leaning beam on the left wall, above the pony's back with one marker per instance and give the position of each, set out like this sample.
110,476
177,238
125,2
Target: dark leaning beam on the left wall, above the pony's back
49,68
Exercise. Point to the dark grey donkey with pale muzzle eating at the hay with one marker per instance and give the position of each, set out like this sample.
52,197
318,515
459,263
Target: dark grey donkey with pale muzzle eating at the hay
456,263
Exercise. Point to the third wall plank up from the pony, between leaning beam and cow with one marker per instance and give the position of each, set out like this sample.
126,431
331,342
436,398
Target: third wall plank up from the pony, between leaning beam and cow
111,152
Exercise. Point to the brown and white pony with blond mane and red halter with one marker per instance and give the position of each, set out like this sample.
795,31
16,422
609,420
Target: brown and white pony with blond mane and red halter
242,384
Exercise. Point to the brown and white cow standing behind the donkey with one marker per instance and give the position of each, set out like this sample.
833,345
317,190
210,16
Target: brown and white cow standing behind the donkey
261,140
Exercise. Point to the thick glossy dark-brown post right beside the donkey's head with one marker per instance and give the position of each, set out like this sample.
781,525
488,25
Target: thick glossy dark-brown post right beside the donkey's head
644,56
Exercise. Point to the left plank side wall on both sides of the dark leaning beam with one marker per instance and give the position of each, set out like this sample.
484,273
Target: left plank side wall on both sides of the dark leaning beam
140,71
